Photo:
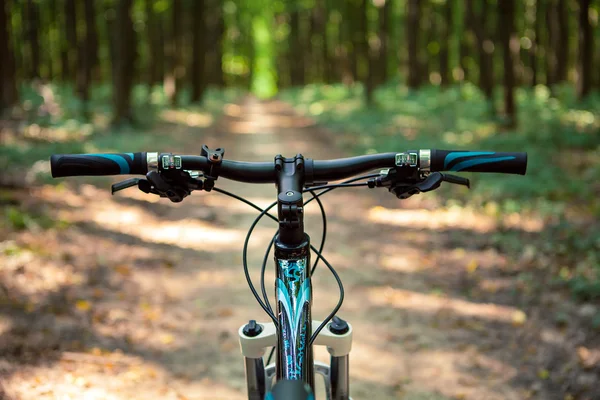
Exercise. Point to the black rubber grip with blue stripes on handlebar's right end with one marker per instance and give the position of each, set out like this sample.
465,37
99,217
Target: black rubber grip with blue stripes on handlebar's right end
478,161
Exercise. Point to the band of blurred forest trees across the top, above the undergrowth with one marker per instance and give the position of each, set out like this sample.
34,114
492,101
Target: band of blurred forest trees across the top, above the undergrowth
269,45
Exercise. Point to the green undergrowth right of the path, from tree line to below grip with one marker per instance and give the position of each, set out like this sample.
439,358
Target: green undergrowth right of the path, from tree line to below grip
560,135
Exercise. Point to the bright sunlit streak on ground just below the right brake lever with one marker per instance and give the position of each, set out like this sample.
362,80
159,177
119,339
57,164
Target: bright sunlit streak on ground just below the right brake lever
455,217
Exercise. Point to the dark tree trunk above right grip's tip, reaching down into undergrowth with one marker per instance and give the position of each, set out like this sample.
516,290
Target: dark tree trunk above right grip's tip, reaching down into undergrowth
507,36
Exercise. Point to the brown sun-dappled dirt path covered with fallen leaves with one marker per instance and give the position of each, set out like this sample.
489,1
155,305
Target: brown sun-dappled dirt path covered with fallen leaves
132,297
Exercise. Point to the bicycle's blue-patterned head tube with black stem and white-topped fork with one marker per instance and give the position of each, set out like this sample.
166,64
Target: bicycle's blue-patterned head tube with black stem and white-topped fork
293,292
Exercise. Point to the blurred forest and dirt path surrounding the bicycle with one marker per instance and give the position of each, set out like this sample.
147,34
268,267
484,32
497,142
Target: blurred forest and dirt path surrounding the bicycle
496,293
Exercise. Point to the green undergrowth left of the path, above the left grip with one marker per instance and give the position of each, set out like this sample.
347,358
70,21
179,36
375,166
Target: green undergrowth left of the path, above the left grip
38,130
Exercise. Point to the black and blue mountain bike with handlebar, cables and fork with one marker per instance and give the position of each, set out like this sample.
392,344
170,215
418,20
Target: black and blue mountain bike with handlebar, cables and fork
290,333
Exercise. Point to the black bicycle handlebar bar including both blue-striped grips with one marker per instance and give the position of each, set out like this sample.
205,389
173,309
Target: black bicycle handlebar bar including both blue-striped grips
425,160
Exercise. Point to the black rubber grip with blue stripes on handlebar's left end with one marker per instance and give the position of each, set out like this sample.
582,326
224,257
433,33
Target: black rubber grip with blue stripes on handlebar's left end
98,164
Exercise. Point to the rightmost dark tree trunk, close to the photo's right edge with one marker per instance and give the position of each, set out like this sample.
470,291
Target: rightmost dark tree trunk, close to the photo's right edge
584,70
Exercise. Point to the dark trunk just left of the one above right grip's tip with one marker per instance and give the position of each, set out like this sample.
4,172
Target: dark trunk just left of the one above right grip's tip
485,48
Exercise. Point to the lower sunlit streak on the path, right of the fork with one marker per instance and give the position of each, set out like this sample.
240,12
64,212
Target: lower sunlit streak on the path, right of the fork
415,301
